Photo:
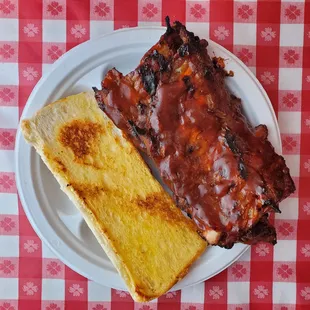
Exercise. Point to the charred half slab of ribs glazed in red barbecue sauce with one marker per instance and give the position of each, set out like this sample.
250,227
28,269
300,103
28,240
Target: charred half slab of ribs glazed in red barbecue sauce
175,107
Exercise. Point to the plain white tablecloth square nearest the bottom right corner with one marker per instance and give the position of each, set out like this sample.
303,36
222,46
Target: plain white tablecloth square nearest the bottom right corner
284,293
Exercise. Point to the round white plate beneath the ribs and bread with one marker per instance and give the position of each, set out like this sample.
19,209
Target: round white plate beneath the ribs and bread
51,213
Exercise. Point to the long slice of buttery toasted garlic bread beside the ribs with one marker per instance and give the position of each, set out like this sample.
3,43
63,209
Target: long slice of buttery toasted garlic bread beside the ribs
145,235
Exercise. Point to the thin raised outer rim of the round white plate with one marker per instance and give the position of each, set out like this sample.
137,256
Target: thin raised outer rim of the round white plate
45,77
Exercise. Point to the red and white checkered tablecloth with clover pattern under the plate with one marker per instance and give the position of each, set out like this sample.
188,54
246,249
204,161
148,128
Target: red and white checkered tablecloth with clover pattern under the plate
271,37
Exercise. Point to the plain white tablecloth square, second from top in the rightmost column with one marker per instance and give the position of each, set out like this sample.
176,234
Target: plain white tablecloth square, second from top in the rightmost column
290,78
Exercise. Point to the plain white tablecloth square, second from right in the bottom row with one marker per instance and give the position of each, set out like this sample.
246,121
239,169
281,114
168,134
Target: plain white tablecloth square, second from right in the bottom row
238,292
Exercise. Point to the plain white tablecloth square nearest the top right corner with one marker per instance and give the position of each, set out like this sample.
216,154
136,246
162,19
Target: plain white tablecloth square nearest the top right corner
291,34
